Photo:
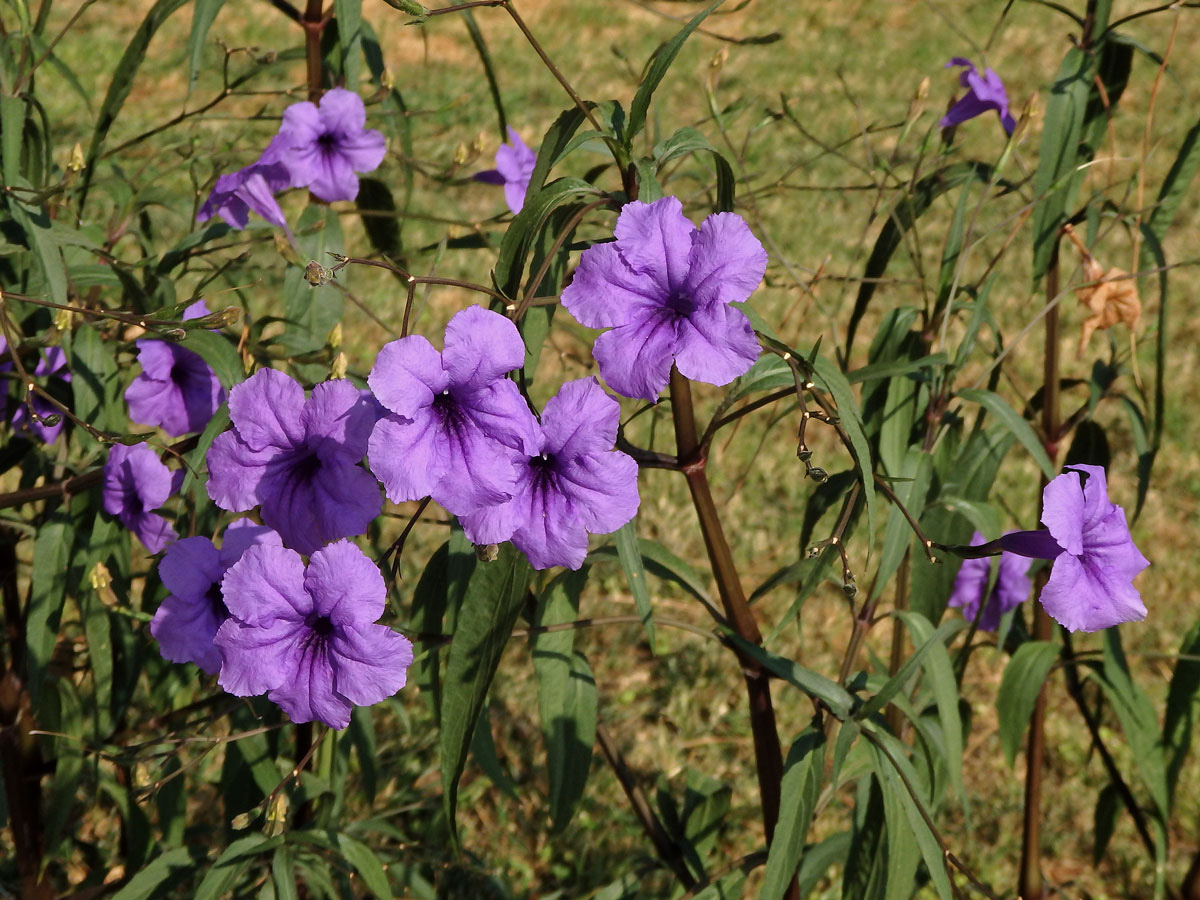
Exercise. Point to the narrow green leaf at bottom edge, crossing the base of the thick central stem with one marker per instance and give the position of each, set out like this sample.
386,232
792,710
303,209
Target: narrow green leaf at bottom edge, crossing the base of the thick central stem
800,791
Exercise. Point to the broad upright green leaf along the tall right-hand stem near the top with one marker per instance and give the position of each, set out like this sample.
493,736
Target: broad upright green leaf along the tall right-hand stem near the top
1059,157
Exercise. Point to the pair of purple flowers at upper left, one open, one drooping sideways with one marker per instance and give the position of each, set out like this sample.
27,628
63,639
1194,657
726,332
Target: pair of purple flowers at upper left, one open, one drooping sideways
317,147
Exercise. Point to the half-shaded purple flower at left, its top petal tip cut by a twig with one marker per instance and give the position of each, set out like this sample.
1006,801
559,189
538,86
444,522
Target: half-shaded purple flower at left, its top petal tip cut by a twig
177,388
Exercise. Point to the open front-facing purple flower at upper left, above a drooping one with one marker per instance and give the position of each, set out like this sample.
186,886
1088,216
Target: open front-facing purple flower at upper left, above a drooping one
323,147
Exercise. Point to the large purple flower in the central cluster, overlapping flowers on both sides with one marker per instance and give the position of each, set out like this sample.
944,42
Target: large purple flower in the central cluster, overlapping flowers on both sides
454,417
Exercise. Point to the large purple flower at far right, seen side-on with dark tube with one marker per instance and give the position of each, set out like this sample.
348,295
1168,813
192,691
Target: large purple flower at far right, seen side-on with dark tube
1095,559
